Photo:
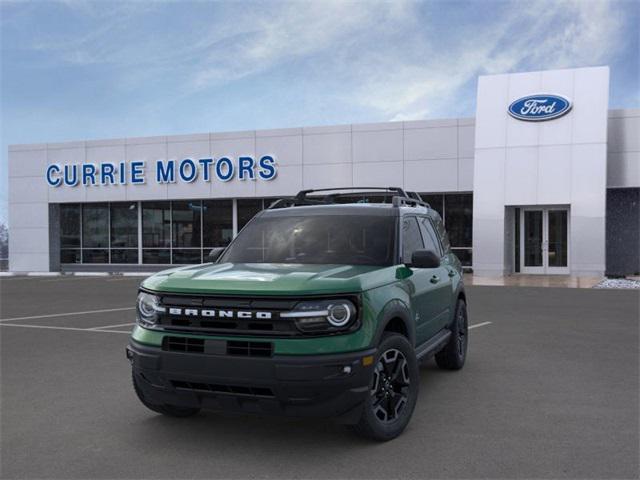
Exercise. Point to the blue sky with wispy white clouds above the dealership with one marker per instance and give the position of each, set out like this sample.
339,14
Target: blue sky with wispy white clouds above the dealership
74,70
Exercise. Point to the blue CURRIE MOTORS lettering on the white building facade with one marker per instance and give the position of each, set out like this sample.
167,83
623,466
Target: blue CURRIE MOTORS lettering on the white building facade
187,170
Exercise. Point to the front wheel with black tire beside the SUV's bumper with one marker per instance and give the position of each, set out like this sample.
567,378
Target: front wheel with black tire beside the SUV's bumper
394,388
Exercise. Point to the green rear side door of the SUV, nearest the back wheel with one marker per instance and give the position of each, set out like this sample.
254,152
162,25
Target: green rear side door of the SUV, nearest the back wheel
441,280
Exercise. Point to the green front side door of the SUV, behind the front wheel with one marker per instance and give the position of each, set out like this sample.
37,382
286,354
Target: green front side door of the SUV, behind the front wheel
419,284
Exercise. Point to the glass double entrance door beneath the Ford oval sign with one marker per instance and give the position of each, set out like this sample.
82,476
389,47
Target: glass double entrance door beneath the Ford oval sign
544,240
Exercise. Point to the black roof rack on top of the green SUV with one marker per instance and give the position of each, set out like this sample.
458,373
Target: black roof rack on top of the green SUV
399,197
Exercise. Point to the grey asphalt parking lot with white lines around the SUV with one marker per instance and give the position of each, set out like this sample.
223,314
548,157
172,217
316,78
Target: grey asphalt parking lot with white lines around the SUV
550,390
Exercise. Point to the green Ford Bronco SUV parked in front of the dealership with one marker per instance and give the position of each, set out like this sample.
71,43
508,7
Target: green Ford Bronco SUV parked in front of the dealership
323,305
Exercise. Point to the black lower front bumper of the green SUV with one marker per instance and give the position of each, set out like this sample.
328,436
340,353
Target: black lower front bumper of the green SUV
302,385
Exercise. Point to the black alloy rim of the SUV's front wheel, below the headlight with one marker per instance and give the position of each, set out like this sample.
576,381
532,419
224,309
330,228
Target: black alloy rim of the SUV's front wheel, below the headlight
391,385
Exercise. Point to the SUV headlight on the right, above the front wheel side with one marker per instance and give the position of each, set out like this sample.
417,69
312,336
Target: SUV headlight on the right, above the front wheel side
323,316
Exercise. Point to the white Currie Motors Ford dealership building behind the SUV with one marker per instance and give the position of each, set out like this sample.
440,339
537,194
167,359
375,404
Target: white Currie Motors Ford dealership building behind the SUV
545,179
